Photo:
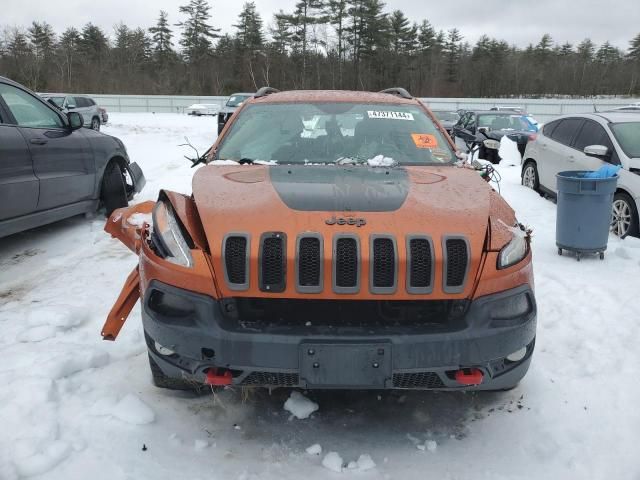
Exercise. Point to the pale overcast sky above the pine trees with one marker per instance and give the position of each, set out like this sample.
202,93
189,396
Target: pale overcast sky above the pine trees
519,22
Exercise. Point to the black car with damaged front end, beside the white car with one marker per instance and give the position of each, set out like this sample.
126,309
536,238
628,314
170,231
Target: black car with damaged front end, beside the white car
494,125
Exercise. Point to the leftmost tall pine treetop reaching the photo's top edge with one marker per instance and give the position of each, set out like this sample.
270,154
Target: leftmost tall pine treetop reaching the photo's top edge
197,34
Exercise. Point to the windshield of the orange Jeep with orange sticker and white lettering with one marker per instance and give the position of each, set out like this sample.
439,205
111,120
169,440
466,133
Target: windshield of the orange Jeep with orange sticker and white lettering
382,134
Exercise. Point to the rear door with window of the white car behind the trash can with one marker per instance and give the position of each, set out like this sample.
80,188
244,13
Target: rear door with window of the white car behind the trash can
558,152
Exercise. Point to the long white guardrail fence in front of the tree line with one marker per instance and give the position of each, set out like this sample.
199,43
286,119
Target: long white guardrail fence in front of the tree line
542,109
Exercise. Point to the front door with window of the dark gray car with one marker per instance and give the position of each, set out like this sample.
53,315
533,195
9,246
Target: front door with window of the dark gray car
62,159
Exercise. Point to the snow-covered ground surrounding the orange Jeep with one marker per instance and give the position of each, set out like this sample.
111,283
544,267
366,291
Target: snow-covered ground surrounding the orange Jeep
73,406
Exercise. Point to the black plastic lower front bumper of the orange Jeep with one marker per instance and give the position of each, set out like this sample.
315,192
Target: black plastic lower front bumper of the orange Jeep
196,335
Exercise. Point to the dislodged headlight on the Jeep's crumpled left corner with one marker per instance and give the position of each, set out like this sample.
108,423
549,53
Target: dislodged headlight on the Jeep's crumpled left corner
166,230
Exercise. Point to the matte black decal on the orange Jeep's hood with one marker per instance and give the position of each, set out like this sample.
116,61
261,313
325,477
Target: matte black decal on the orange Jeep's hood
340,188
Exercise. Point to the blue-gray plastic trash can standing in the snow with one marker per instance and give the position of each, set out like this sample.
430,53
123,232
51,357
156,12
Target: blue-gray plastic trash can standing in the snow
584,212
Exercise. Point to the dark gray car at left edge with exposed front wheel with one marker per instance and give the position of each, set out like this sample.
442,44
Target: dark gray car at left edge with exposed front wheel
51,168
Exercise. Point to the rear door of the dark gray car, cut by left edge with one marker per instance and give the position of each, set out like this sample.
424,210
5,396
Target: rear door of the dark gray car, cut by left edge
18,182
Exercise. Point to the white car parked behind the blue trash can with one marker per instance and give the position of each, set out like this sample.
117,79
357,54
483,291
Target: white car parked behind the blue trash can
586,142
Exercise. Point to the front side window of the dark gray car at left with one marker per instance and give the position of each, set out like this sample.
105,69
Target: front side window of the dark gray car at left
28,110
